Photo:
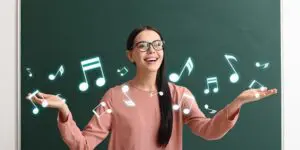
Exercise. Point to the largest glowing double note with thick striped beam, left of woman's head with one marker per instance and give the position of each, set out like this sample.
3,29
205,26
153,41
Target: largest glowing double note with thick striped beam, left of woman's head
91,64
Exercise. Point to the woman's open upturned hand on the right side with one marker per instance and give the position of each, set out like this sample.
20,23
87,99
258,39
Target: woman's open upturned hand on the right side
252,95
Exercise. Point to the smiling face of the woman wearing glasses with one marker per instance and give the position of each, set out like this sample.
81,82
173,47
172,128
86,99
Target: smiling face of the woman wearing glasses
143,54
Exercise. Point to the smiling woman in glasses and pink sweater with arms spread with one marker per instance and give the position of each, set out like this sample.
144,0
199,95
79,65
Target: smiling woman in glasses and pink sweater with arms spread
147,112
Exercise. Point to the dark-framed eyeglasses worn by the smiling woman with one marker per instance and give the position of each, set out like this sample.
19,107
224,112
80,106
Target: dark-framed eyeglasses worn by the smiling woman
143,46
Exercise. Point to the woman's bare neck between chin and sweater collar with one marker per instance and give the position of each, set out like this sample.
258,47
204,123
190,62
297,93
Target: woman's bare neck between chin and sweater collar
145,81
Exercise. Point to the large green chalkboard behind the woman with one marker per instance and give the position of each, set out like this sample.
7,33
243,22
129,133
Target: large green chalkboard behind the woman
66,32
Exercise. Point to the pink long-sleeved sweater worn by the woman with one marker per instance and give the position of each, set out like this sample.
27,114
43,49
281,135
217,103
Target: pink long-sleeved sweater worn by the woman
136,127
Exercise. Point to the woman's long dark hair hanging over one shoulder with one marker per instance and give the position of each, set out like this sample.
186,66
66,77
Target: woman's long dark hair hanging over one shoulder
165,103
